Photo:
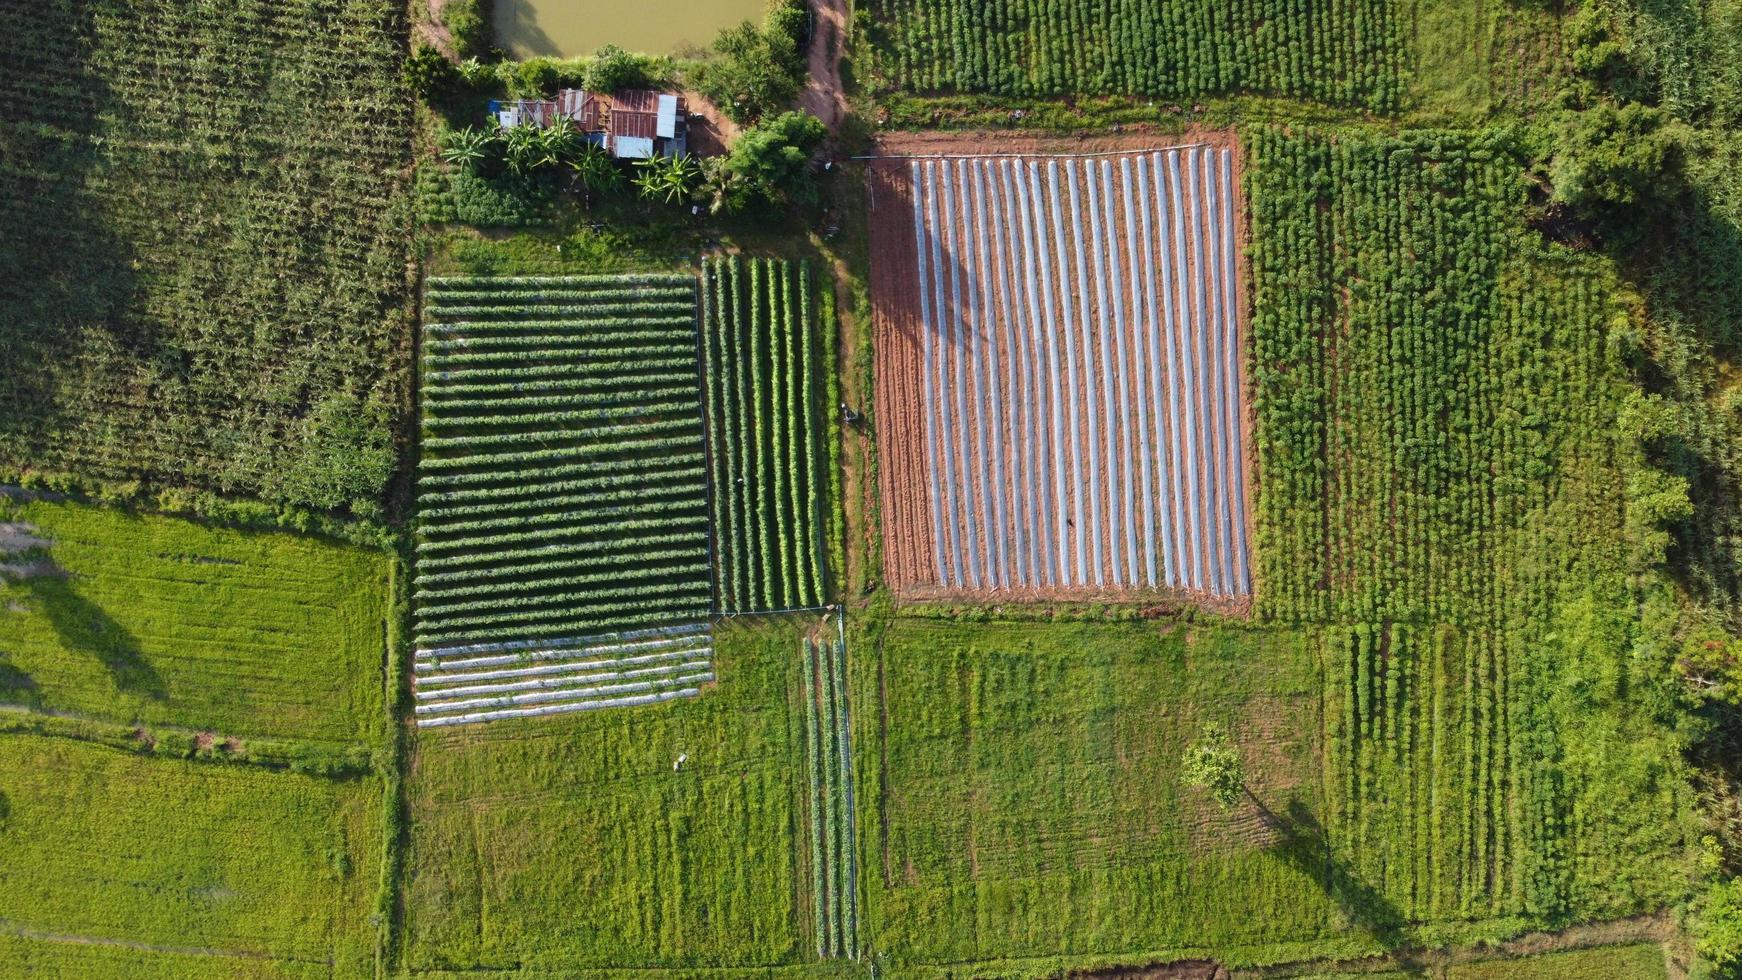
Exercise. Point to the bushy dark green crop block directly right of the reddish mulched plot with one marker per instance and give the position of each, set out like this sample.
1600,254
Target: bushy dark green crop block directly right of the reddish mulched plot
1412,389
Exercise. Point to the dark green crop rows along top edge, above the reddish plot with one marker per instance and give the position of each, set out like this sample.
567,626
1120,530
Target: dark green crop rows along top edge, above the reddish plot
1334,51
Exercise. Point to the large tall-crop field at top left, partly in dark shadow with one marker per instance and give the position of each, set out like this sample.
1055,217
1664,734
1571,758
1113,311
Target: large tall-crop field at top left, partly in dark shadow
203,246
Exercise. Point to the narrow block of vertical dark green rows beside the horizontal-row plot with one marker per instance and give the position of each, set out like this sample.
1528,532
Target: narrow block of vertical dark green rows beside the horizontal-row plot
766,410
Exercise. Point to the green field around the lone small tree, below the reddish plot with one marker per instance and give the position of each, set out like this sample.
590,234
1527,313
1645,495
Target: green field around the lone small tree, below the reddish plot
1020,796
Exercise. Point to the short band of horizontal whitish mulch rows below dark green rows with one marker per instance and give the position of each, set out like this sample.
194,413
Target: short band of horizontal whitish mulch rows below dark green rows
480,683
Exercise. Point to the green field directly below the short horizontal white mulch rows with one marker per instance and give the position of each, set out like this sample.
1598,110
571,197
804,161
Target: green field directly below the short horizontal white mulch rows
571,843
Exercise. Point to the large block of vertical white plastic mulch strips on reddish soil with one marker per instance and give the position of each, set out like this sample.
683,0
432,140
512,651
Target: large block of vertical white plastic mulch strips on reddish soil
1083,372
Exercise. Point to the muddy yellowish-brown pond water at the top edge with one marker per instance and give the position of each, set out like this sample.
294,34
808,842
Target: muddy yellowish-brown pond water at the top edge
565,29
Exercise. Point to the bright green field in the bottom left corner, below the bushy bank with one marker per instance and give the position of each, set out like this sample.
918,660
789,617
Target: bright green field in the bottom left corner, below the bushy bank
236,861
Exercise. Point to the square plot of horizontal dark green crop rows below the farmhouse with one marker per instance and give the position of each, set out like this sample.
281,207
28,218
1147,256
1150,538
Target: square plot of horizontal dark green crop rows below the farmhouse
564,487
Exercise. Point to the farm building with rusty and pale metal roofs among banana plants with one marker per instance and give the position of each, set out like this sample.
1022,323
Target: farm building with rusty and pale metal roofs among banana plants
633,124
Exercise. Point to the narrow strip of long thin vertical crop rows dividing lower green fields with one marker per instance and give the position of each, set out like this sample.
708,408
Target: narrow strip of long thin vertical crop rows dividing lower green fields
830,760
